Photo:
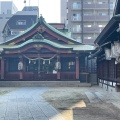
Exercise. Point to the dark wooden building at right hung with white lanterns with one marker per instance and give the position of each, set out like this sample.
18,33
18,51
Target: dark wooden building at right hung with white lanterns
107,52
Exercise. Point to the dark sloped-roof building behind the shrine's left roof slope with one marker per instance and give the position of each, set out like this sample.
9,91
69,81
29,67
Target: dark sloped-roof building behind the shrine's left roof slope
19,22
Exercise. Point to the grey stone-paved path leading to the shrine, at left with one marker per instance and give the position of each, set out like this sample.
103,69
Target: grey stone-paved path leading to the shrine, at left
25,104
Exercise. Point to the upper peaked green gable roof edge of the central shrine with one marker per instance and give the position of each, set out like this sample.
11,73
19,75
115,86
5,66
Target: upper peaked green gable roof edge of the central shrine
36,27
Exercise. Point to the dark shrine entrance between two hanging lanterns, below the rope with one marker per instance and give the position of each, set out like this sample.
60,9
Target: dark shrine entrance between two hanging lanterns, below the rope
42,68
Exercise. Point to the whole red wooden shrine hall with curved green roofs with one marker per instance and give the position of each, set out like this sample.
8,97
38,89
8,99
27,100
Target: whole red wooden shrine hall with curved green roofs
43,53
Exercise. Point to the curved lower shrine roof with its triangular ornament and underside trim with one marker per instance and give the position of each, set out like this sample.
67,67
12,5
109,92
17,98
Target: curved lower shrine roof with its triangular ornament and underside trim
38,41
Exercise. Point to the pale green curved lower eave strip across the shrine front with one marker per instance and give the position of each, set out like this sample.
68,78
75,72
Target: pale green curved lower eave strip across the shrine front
43,41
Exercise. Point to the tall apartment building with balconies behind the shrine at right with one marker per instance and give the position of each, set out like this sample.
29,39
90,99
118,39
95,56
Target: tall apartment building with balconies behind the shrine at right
86,18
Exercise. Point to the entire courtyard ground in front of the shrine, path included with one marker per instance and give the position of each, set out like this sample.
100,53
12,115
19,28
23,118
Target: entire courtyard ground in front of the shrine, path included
42,103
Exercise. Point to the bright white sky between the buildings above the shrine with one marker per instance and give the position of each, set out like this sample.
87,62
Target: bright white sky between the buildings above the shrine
50,9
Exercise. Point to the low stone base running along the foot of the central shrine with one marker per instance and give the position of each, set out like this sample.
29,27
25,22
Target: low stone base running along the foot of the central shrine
43,84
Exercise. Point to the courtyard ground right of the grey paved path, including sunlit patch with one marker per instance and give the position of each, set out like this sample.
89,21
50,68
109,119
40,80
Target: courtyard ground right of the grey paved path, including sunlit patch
99,104
